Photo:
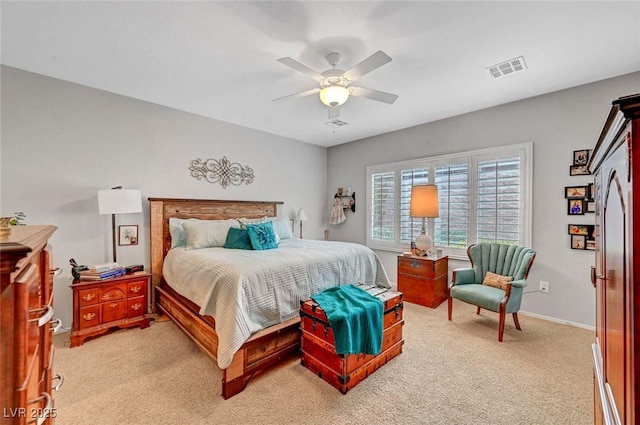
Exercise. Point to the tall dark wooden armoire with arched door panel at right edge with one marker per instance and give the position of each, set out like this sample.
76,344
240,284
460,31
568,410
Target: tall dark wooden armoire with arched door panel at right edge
615,163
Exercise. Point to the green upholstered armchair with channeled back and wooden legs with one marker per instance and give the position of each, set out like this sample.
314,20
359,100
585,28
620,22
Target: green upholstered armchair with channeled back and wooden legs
501,259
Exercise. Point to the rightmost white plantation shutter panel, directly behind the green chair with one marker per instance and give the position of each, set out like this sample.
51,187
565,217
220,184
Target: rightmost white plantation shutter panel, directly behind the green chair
498,205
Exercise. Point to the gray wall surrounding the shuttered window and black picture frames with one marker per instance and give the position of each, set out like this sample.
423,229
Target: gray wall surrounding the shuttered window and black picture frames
557,123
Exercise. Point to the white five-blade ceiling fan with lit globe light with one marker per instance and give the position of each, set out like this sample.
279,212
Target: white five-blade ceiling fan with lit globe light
335,84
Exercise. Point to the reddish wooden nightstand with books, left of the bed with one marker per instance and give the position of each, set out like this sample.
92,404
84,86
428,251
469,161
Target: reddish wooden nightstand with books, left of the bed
101,305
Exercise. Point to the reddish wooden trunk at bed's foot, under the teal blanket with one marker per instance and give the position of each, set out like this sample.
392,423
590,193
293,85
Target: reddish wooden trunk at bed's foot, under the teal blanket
346,371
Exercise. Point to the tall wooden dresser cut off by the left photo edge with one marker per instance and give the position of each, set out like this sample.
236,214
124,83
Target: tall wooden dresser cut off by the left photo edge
27,325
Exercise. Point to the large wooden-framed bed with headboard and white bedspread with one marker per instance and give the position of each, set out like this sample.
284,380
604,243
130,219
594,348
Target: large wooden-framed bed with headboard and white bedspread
245,341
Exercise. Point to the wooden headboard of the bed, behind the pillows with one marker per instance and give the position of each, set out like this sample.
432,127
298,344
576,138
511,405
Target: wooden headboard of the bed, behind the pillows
162,209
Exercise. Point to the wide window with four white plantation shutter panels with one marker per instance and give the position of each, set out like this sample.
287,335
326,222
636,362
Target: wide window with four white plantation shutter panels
483,197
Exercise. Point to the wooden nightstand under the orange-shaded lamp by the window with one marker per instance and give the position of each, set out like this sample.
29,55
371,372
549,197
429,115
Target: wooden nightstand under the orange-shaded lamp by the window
423,280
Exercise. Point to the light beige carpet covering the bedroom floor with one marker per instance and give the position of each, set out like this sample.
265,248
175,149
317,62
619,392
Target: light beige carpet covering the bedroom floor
449,373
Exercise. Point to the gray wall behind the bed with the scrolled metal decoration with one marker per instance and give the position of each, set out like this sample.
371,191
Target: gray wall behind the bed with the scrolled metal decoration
61,142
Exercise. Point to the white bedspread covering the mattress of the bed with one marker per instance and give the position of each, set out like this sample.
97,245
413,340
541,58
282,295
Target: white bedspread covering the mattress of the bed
246,291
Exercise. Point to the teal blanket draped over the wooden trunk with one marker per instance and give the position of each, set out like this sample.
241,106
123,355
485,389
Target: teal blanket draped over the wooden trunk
356,318
